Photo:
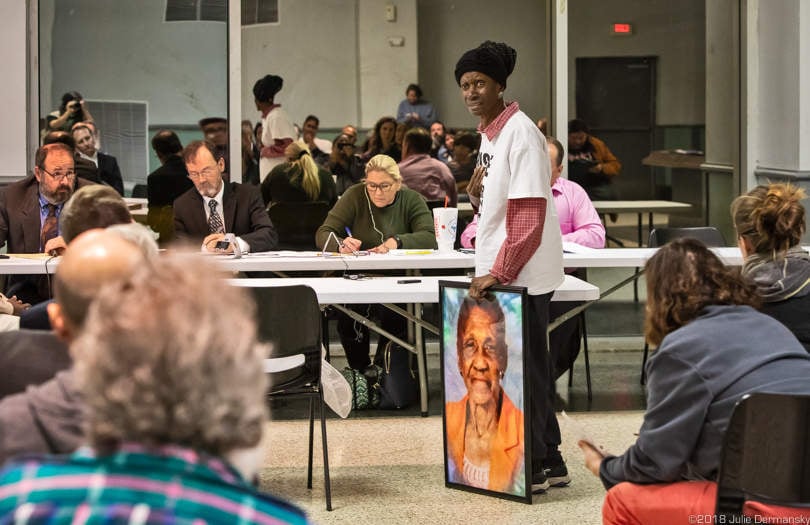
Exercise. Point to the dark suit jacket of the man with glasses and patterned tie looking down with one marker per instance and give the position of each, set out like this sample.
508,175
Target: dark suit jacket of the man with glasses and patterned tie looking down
243,212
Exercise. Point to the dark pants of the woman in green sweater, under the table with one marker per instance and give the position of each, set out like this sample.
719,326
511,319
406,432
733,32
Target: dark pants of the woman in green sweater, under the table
355,337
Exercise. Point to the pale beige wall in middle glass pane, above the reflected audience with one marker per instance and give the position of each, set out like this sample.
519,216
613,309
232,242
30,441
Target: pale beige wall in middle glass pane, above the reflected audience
335,59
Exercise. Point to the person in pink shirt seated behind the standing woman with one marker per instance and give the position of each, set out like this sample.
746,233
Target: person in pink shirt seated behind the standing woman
580,224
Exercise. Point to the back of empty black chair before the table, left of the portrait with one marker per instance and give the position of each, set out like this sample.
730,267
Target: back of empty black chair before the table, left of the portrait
290,319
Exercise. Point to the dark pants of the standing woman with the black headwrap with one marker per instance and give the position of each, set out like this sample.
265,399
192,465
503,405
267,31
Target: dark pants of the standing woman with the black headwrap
545,429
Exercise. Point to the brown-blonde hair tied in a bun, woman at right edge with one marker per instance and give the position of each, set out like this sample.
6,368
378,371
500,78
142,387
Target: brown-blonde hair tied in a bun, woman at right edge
771,217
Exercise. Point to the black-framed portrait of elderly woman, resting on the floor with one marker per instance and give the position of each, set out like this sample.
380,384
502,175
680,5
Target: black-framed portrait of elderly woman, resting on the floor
487,442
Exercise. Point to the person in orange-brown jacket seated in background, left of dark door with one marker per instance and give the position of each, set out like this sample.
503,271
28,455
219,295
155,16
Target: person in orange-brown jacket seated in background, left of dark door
591,164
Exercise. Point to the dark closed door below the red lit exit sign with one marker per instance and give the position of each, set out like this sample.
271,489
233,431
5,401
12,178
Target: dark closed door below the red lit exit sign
616,97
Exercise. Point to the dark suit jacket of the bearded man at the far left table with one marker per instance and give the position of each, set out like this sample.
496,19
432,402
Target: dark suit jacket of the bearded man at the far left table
20,228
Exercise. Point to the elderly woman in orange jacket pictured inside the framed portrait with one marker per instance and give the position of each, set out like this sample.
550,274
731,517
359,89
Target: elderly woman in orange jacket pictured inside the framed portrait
484,428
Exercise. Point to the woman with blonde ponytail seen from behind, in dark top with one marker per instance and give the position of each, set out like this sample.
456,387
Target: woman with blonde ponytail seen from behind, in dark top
299,179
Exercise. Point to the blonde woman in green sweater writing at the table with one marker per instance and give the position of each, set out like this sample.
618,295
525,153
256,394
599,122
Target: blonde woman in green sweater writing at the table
378,216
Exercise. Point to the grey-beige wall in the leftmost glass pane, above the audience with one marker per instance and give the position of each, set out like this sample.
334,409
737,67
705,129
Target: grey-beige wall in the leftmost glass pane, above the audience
118,50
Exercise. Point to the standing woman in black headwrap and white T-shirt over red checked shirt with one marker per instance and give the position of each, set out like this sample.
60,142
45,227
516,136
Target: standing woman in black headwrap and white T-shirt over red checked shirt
518,241
